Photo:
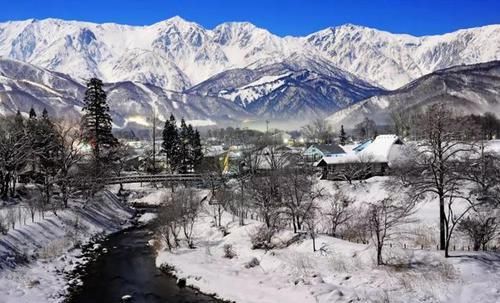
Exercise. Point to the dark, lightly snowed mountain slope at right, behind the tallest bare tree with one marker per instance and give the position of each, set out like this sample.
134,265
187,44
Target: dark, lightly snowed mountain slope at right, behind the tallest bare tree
468,89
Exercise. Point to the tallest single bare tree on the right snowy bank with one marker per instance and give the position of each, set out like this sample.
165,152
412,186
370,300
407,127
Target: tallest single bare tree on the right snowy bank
432,165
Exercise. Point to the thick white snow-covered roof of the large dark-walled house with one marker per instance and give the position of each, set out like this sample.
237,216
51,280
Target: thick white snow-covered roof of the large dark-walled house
376,151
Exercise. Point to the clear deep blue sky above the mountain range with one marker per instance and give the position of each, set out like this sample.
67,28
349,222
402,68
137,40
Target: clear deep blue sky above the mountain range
292,17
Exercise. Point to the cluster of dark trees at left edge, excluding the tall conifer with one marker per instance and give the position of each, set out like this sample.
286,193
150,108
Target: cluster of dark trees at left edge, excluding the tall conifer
43,150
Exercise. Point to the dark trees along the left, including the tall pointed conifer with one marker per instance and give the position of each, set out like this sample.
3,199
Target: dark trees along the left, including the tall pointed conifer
49,153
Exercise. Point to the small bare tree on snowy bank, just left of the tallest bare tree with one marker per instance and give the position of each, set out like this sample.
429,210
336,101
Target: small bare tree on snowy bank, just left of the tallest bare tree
383,218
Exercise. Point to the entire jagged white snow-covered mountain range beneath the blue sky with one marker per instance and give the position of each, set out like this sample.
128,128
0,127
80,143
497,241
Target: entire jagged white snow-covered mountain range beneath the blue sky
176,54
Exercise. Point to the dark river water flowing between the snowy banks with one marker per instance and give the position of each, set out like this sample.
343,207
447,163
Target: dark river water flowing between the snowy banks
128,268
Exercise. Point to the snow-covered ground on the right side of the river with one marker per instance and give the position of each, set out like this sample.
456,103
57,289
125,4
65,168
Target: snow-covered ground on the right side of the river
341,271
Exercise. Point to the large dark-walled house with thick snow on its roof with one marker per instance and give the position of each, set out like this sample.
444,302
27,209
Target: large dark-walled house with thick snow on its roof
370,158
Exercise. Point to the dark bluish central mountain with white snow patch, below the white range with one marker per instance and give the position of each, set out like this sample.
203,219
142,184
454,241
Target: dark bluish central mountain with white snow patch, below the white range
296,87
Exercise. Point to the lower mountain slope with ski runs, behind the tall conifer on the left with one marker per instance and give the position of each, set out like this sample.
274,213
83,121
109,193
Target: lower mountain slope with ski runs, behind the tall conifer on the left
24,85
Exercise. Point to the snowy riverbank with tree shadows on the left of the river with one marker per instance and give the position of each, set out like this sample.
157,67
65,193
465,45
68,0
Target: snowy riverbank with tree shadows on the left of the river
48,246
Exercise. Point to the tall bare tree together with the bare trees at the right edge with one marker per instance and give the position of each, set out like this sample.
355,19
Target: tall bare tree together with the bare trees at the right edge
451,162
